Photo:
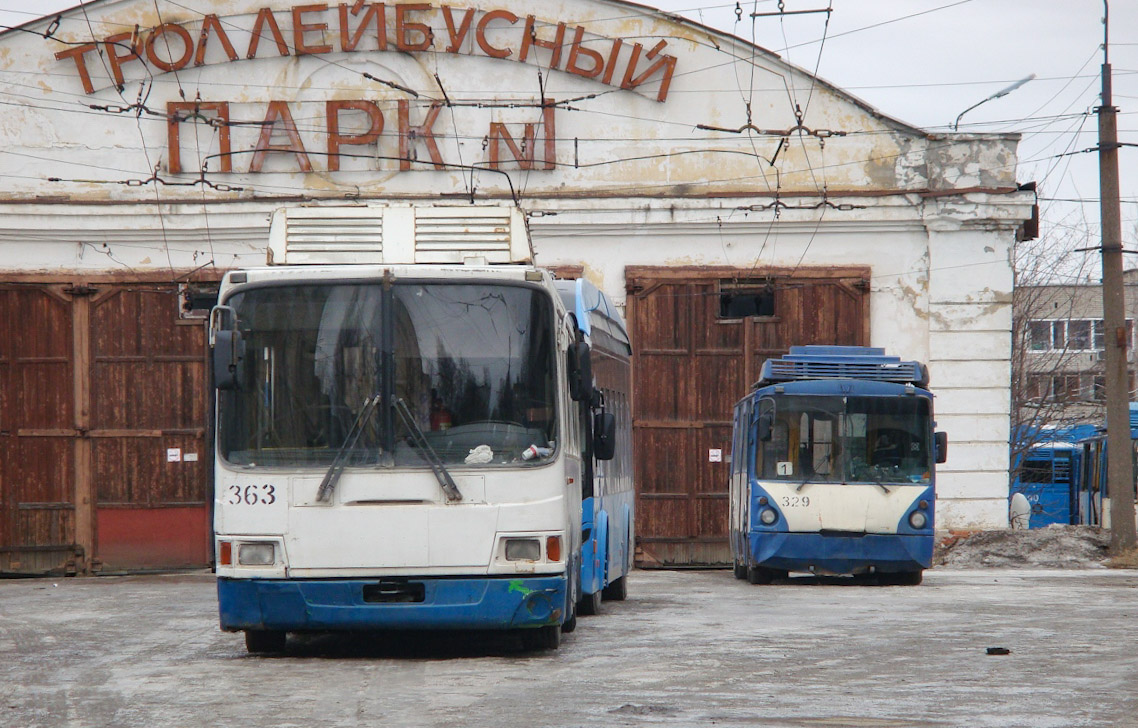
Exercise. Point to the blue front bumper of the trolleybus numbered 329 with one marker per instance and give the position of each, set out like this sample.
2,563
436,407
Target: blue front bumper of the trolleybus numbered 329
840,555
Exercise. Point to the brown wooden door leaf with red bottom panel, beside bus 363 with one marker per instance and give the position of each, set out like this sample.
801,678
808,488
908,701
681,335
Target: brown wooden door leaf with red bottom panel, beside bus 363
149,431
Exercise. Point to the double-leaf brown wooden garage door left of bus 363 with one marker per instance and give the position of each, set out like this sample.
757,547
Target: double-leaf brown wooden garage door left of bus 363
103,429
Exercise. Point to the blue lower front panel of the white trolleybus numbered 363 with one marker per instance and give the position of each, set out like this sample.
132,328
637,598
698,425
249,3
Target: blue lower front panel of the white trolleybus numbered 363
328,605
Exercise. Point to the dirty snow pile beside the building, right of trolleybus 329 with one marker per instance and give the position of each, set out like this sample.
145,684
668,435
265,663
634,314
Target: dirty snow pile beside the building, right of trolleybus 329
1052,548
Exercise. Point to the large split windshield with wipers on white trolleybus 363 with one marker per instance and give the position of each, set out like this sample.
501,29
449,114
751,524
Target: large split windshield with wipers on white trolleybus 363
474,365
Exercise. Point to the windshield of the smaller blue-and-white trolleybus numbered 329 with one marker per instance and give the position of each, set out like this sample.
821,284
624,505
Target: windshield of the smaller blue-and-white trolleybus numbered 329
846,440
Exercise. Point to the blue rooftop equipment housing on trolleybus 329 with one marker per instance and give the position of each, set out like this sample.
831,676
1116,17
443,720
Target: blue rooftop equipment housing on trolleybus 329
843,362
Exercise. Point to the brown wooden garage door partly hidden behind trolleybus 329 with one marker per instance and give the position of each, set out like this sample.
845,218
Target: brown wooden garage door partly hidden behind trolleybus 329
695,354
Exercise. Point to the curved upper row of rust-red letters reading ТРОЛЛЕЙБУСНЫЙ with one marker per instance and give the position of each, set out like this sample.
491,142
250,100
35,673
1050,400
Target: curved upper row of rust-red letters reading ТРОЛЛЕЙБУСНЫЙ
468,30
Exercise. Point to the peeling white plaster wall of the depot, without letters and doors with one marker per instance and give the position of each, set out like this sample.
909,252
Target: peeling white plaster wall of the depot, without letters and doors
629,180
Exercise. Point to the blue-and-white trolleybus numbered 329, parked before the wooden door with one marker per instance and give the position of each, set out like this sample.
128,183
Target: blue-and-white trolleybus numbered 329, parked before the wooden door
834,468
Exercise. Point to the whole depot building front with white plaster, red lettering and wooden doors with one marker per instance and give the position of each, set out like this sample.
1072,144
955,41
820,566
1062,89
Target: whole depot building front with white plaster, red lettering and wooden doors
732,204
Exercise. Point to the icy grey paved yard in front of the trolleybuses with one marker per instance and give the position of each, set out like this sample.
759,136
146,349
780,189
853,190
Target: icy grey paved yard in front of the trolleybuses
688,649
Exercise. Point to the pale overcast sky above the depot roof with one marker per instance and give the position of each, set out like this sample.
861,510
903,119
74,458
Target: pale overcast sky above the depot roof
925,62
